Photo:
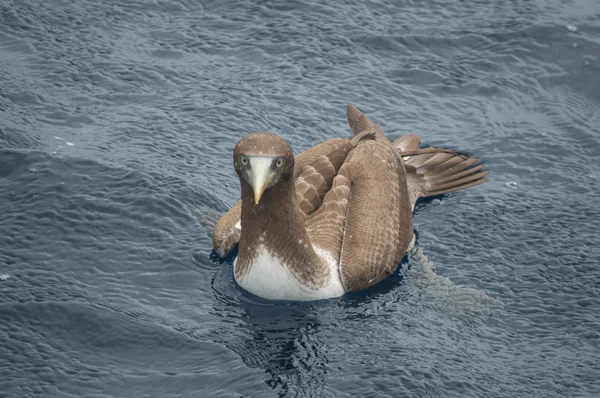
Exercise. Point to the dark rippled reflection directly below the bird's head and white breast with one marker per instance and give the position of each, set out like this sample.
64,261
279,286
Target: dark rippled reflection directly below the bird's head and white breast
281,338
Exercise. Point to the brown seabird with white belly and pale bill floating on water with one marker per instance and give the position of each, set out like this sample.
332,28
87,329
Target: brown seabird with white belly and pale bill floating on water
337,218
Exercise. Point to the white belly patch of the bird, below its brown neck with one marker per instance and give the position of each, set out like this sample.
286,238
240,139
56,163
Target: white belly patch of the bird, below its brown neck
270,279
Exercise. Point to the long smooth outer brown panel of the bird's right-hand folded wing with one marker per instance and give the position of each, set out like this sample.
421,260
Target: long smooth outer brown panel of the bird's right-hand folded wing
378,225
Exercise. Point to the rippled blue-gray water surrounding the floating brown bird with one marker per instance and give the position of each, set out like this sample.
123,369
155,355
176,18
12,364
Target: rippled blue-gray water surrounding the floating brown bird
117,122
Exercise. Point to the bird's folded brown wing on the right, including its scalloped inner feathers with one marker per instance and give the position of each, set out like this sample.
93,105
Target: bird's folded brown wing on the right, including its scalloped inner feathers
365,221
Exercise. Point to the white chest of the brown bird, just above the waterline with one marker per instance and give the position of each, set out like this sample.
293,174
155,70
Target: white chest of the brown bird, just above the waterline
269,276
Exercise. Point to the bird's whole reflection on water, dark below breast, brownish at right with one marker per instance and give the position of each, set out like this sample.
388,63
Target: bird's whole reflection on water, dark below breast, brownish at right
289,340
